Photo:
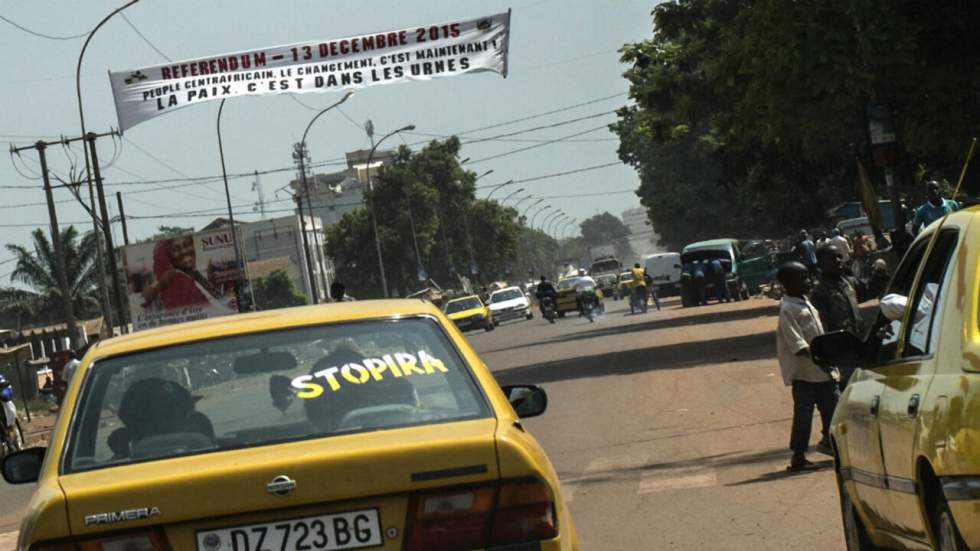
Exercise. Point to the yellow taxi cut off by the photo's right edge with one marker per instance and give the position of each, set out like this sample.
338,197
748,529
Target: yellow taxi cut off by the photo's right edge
906,432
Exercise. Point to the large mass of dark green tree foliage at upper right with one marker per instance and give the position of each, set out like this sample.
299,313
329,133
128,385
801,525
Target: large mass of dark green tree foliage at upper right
749,113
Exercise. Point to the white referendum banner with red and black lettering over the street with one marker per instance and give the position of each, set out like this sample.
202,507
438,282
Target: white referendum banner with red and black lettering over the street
417,53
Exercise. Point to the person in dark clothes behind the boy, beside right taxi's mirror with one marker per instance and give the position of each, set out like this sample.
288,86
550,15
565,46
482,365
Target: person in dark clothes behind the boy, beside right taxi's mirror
836,297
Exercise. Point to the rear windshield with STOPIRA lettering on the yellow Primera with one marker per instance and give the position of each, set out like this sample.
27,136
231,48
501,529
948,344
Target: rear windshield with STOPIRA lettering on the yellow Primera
259,389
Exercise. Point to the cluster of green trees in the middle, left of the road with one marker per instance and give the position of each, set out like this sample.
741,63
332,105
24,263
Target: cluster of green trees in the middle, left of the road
430,191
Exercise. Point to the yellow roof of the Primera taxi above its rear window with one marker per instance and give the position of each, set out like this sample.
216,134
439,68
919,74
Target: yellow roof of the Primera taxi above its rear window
268,320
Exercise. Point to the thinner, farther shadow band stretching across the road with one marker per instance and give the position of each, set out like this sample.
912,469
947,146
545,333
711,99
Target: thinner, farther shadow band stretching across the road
769,308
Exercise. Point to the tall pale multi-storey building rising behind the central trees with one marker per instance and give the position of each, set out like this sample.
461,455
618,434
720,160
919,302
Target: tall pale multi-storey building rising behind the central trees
334,194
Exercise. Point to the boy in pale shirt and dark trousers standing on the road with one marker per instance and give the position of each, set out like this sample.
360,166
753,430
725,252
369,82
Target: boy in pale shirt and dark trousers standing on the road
799,324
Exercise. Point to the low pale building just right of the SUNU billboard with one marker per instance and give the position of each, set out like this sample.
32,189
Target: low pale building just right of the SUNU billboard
278,243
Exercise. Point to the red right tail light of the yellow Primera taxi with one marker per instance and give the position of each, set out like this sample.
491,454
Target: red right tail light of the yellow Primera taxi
477,517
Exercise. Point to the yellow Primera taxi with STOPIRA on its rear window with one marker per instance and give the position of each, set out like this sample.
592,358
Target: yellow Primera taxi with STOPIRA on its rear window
368,424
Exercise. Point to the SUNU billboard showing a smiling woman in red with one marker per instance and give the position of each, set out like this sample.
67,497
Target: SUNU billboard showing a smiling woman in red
183,278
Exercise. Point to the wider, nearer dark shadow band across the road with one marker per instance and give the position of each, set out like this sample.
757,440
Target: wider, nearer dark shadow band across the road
669,356
